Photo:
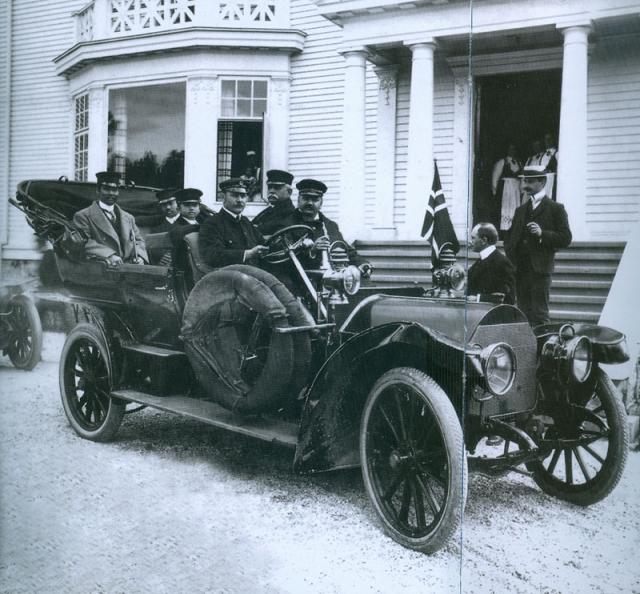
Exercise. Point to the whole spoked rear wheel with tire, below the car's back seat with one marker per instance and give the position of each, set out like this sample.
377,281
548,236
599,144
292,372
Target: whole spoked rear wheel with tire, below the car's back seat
85,385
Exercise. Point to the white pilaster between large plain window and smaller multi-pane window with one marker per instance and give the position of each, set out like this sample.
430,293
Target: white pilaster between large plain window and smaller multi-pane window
201,136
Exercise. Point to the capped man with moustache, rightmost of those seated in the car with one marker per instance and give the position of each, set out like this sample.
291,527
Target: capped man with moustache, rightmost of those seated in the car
324,230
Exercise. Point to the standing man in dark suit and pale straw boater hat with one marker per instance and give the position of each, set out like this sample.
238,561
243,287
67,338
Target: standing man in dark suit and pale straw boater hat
540,228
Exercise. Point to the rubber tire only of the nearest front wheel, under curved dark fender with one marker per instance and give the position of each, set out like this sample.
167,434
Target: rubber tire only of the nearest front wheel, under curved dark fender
447,420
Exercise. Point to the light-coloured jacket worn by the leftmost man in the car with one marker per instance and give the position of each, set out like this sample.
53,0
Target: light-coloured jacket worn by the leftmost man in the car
103,240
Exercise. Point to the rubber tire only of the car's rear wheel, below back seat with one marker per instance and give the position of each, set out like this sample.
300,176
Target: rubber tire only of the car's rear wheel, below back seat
115,412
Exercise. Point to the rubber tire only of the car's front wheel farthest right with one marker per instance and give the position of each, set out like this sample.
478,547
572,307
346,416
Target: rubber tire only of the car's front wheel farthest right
611,472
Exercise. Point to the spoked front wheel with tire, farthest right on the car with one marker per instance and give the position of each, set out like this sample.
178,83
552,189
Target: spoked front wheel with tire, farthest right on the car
587,447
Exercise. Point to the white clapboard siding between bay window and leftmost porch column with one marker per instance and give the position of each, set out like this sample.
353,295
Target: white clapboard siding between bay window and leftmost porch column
317,96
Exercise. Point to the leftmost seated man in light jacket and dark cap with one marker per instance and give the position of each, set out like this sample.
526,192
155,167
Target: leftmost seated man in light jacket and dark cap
112,233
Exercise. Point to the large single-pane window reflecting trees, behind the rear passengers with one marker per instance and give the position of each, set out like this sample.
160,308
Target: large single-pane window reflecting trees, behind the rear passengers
146,134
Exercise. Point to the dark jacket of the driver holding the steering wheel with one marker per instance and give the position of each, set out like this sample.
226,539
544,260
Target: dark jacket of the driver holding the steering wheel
223,239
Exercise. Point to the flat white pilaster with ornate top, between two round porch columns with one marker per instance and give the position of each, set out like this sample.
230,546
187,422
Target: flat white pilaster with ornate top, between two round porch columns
386,152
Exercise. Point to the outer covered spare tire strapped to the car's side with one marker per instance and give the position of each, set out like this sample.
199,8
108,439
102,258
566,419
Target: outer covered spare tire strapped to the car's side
227,328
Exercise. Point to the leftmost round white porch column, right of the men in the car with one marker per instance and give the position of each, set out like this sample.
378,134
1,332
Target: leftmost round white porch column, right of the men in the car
353,146
